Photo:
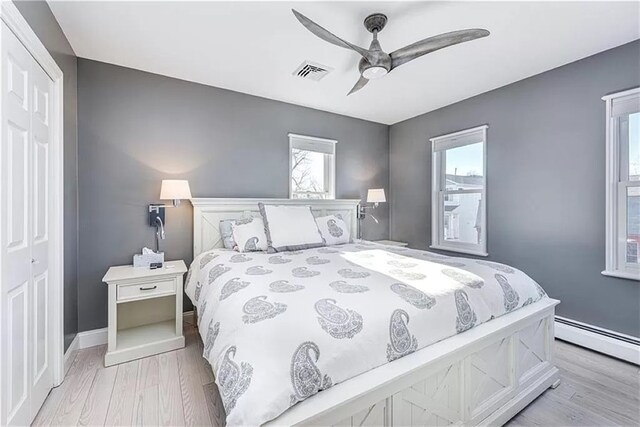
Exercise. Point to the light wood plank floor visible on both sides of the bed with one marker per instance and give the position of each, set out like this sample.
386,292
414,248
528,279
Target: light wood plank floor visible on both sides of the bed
177,388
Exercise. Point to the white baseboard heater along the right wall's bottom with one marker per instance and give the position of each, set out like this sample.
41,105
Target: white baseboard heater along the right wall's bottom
602,340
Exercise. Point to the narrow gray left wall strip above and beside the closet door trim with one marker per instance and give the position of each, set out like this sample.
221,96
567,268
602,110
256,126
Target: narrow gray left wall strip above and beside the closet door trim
44,24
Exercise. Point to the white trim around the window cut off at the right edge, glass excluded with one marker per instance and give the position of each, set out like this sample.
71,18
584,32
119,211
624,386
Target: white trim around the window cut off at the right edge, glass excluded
615,252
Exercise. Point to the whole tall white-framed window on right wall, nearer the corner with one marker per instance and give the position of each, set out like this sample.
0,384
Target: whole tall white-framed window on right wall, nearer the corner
458,209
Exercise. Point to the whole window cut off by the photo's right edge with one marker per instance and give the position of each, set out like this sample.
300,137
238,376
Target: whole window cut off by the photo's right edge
623,185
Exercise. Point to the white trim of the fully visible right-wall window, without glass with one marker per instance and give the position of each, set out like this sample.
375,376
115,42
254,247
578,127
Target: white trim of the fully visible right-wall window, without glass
437,197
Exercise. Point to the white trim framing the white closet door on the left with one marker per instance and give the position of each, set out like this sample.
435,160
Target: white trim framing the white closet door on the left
10,15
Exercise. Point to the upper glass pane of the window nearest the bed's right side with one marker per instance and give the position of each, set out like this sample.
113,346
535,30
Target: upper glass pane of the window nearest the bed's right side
464,167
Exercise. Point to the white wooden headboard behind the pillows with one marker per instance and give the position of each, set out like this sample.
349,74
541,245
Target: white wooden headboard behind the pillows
207,214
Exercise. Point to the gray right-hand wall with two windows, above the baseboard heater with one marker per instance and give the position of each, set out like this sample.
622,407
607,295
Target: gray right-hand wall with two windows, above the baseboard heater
546,165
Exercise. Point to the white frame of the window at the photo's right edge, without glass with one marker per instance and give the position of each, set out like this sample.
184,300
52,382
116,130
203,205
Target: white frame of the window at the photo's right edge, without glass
616,187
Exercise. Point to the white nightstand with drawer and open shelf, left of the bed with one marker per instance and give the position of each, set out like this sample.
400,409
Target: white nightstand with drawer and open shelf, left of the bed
145,311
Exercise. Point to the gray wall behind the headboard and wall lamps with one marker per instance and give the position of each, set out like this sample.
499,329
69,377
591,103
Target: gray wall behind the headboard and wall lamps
137,128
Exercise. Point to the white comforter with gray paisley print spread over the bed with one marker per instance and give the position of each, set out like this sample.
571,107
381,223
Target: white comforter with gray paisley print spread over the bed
278,328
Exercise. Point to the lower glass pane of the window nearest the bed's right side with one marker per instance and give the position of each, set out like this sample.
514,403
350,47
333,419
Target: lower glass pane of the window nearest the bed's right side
462,218
